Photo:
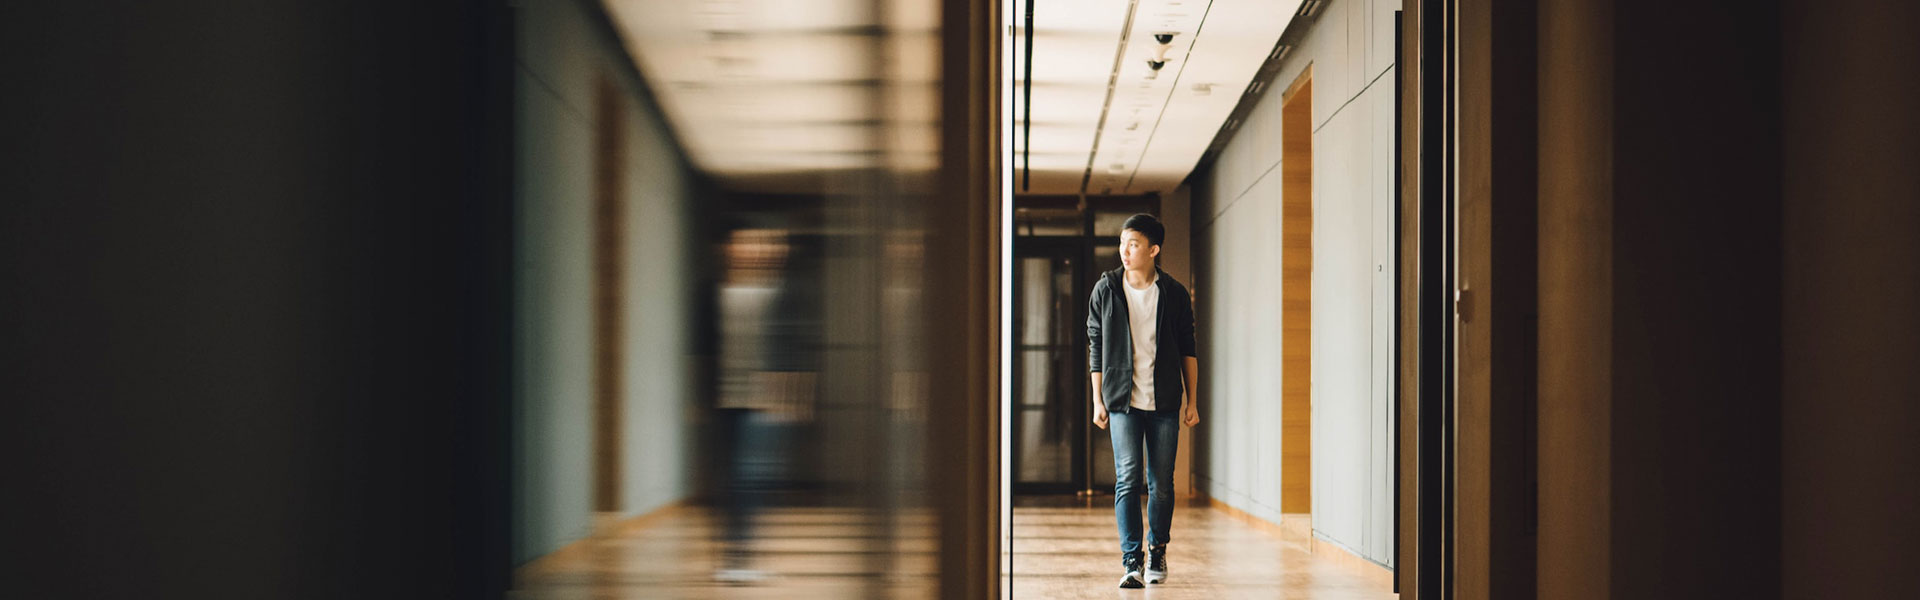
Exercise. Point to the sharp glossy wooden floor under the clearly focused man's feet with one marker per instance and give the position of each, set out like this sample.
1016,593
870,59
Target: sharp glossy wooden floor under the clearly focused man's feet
1070,551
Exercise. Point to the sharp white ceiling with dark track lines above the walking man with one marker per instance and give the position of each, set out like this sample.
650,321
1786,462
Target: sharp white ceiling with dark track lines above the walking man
1103,122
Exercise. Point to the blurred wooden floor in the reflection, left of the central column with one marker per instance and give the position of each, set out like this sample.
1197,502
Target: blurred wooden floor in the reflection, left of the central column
798,553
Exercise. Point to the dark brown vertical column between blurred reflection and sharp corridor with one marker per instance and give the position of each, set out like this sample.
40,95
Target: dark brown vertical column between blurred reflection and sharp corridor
963,303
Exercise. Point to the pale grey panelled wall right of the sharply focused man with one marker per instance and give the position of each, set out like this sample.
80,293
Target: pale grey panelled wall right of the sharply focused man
1237,224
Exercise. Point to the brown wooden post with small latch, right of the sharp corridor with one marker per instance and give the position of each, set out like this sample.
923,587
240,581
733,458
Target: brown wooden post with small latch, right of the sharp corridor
1495,314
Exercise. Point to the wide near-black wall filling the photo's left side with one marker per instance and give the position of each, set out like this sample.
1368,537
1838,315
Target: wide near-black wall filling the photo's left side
252,299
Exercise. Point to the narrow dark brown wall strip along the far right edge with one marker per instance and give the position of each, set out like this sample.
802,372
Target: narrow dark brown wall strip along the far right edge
1850,299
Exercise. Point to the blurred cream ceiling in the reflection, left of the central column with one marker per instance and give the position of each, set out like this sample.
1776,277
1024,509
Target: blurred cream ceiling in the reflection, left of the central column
767,95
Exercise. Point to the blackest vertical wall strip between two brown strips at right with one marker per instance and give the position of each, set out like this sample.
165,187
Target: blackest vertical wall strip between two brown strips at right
1696,301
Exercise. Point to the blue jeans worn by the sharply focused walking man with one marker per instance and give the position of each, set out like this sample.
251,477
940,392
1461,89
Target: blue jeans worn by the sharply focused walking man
1161,436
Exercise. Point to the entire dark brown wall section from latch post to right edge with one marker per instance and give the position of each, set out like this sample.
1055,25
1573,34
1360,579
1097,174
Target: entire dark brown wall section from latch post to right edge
1727,216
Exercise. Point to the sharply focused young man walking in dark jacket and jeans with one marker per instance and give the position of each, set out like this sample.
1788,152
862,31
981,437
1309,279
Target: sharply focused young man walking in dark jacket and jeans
1141,361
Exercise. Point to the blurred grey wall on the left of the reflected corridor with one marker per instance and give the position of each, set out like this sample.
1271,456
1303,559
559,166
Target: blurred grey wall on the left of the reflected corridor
564,55
